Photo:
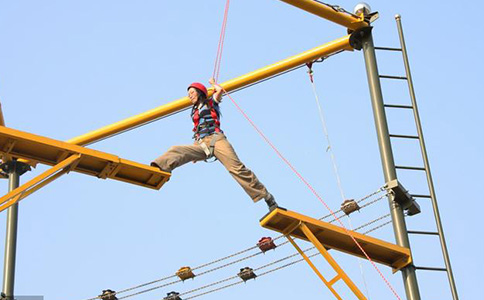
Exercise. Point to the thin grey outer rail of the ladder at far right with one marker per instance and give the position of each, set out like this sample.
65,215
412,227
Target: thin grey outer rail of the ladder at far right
425,158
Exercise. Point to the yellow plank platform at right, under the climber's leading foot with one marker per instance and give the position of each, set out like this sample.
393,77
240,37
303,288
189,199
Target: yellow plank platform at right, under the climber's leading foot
335,237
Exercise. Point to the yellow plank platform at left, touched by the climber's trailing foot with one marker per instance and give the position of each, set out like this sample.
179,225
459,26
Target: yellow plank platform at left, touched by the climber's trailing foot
103,165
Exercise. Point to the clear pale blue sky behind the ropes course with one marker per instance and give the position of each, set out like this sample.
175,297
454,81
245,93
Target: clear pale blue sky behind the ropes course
69,67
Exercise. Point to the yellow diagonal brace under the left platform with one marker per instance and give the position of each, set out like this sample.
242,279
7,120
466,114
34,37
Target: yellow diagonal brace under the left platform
38,182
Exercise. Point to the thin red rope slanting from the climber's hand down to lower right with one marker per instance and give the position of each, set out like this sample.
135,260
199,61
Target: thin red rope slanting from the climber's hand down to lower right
313,191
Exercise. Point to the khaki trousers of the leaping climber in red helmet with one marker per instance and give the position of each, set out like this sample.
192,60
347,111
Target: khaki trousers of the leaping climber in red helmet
225,153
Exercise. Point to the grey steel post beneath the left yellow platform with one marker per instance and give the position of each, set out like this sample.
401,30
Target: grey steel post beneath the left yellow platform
11,236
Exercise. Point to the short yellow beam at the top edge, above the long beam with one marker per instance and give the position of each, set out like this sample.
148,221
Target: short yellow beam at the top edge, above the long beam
327,12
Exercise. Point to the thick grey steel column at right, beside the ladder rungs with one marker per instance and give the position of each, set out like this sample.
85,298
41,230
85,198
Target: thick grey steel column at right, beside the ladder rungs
399,226
